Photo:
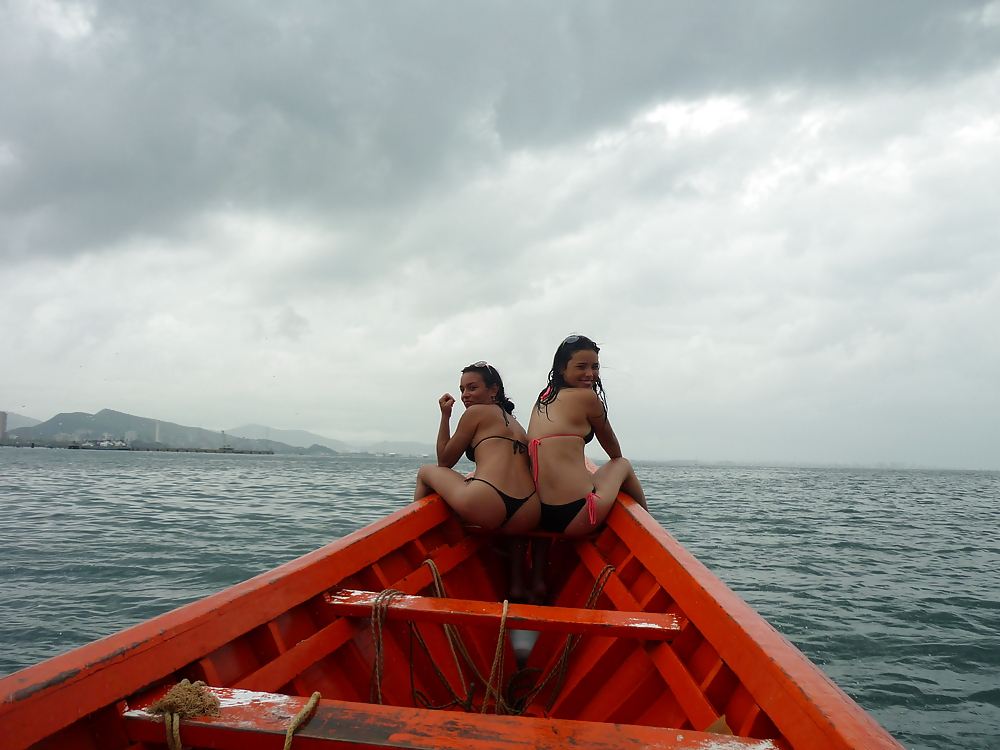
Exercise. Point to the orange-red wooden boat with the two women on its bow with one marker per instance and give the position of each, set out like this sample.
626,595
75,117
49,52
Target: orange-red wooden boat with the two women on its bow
292,631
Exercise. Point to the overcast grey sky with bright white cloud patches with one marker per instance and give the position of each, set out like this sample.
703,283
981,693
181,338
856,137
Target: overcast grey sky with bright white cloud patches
779,219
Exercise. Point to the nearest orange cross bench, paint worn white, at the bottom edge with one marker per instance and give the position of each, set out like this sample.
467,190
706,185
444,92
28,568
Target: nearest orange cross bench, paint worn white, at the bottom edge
257,721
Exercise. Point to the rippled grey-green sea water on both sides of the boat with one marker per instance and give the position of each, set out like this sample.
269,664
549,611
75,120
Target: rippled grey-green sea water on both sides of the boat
888,580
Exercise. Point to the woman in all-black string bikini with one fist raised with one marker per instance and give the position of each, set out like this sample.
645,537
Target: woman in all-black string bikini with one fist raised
502,494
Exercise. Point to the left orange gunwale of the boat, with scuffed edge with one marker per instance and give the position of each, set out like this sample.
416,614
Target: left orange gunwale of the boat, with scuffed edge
103,672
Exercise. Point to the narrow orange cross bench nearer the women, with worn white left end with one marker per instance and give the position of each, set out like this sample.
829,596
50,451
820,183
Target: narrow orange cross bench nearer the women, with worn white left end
519,616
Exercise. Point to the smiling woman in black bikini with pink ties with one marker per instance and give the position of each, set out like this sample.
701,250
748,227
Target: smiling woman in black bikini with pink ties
568,414
